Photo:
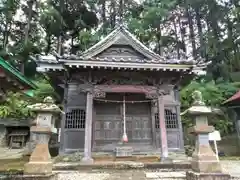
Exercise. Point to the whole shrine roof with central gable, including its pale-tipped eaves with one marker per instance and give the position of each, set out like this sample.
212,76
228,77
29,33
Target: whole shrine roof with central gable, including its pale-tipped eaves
120,37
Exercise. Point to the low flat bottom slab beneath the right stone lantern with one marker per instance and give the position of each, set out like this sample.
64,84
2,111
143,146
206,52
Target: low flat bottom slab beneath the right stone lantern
190,175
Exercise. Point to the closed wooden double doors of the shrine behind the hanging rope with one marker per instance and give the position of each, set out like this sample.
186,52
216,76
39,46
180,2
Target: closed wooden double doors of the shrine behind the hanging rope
108,124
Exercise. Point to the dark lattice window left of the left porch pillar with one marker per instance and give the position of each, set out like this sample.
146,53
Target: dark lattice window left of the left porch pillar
75,119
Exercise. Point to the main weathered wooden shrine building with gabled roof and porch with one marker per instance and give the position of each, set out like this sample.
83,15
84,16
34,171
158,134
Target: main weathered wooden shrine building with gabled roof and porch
119,89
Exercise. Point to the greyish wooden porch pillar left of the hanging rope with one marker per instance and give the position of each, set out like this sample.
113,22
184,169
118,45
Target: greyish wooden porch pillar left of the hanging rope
88,129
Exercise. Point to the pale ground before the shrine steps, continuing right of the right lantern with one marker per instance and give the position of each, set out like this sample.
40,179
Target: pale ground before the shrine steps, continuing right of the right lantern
232,167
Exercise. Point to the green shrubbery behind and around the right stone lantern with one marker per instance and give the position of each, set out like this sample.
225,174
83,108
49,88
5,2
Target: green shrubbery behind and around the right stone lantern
214,94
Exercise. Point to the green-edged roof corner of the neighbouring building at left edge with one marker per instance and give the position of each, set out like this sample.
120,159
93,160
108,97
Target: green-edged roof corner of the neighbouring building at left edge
12,80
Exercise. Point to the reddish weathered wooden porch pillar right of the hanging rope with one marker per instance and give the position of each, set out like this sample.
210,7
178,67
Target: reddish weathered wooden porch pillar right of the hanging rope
163,131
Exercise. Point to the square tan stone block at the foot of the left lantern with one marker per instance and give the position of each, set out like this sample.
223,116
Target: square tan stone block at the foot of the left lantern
38,168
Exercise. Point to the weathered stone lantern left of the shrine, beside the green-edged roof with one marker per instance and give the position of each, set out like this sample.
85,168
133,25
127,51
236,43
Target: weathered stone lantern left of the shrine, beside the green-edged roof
40,159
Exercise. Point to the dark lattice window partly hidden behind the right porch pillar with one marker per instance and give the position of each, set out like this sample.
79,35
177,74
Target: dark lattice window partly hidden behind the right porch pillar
171,119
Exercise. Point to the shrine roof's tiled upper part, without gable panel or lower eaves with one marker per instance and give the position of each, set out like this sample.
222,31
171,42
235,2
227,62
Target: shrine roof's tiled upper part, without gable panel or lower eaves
119,35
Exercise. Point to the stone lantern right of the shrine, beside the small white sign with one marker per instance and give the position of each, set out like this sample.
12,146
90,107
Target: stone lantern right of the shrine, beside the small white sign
204,161
